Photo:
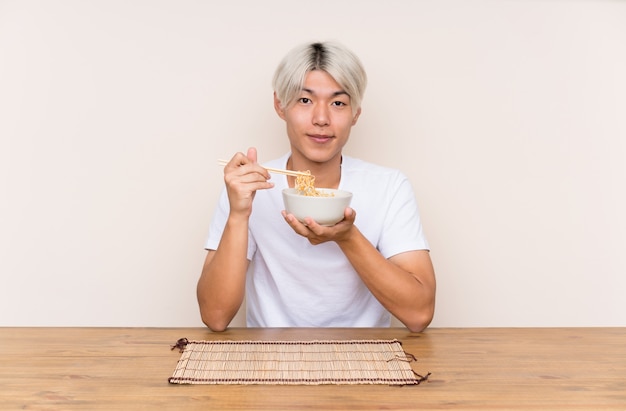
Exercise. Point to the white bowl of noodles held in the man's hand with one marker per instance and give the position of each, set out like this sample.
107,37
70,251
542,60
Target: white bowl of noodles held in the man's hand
325,210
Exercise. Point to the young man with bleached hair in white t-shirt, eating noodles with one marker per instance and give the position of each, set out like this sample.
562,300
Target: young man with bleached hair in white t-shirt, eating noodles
354,274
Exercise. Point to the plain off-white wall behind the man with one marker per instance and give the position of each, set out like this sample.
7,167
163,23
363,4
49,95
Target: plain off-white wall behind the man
508,116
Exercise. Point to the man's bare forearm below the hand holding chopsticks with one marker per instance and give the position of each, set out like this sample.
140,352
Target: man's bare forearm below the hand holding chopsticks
221,286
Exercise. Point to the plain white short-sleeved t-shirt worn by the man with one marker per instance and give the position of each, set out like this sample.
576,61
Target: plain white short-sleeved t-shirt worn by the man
292,283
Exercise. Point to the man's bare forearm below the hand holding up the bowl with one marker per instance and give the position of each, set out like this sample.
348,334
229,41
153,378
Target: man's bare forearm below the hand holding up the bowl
404,284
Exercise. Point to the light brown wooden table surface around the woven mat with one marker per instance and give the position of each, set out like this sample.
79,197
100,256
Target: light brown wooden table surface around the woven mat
479,369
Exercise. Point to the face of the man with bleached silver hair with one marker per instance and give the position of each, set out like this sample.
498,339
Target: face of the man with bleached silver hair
320,120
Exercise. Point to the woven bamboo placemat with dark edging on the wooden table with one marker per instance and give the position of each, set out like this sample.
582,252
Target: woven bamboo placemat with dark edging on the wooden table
294,363
